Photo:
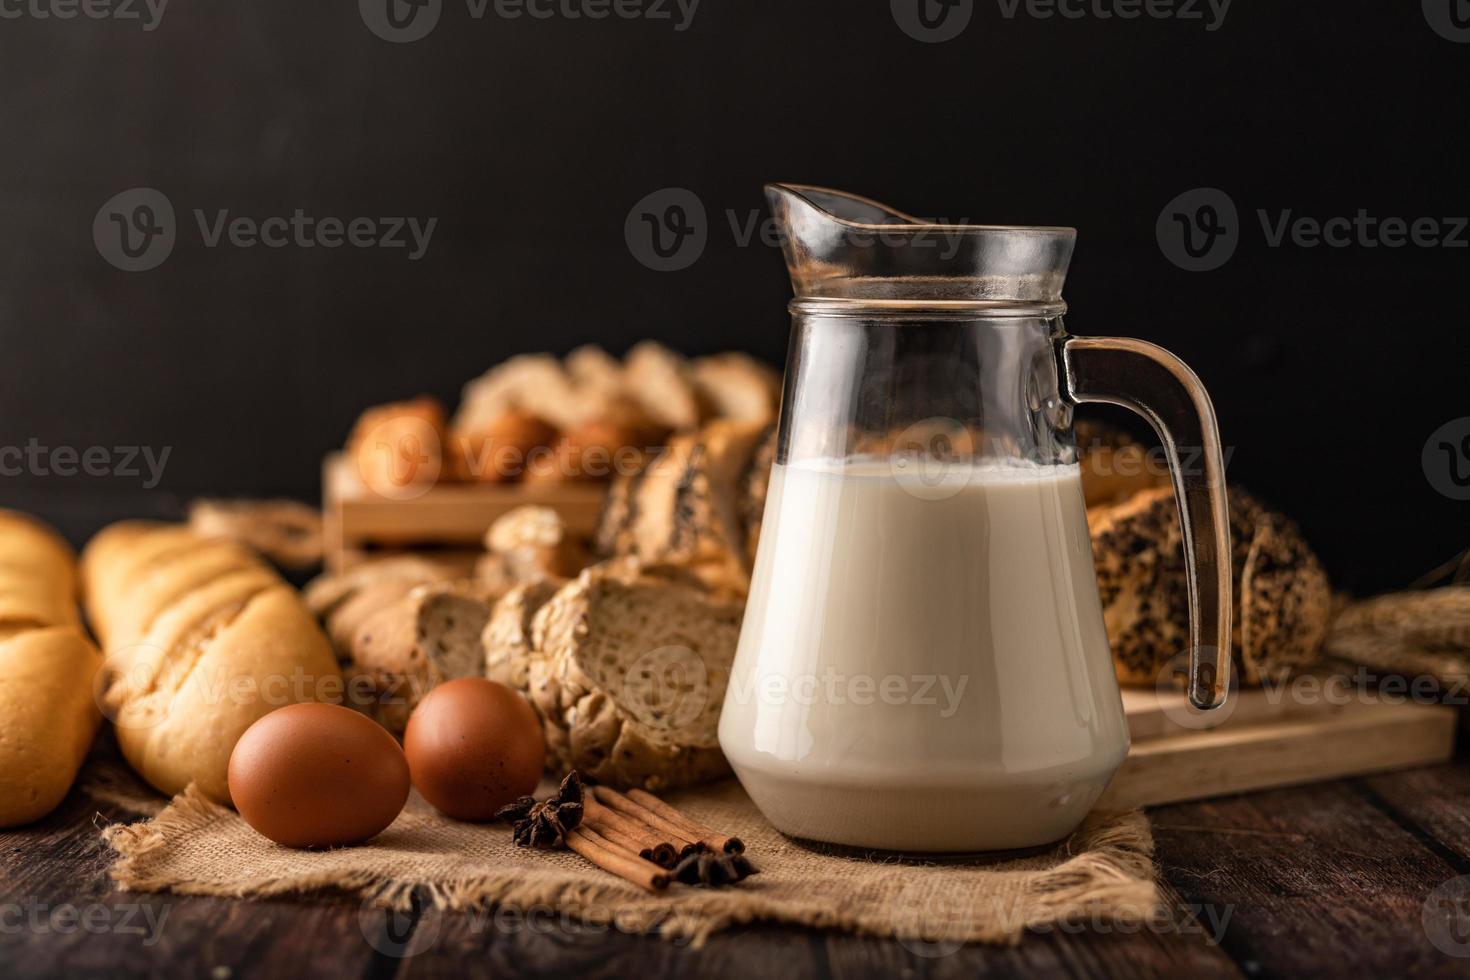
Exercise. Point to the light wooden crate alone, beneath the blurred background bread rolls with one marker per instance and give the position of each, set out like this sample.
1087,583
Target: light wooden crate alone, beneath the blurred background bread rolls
452,516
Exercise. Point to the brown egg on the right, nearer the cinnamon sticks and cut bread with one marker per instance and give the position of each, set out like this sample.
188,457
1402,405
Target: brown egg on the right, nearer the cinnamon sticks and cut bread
474,746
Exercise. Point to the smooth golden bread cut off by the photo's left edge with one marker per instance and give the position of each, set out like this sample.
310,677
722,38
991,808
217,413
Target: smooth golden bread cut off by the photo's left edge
48,666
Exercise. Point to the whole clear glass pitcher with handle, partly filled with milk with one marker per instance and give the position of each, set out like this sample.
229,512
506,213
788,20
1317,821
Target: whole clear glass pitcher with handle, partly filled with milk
924,663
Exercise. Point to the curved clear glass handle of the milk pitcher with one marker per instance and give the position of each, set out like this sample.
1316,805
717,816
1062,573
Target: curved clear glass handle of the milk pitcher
1162,389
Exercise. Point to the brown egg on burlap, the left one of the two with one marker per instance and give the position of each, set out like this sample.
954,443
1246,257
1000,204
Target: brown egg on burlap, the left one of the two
318,777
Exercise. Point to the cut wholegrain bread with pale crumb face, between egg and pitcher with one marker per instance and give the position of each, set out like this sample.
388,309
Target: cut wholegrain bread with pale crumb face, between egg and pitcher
628,674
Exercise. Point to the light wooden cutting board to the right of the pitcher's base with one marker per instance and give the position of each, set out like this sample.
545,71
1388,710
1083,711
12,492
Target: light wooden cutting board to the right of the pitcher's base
1269,738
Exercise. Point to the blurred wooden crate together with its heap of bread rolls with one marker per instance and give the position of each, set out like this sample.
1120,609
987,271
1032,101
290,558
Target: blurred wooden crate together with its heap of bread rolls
536,430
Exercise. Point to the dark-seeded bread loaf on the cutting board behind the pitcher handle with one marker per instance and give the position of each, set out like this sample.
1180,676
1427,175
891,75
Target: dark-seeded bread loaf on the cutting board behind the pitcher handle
1283,599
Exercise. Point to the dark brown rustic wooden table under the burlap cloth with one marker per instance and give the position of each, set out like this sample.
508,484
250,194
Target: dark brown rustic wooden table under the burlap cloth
1355,878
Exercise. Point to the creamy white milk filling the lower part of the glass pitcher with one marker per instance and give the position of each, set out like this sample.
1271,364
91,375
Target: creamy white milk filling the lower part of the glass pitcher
924,663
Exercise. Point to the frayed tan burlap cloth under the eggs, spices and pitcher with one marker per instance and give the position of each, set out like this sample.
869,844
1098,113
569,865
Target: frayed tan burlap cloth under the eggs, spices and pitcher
1103,873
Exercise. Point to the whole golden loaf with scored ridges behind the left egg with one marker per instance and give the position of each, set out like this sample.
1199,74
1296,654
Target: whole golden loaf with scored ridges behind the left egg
202,641
